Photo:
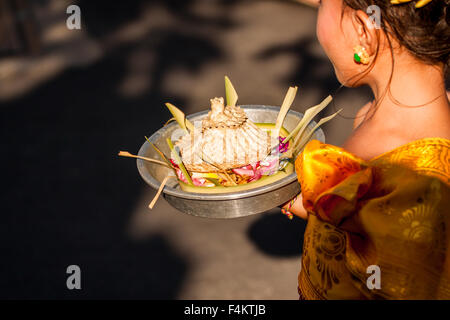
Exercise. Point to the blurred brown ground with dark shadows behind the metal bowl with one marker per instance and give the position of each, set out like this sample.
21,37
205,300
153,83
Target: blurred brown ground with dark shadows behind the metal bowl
67,111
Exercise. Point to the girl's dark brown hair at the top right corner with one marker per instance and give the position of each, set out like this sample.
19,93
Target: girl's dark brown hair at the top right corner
425,31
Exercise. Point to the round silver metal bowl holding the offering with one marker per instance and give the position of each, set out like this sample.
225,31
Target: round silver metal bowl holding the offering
223,205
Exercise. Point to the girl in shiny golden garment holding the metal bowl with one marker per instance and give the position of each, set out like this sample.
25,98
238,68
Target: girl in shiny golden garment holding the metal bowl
378,209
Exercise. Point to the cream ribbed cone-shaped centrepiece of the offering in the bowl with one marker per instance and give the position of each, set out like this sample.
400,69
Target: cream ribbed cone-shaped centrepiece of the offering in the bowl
225,139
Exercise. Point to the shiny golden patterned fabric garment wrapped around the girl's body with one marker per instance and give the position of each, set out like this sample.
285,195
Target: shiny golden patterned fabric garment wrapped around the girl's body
392,212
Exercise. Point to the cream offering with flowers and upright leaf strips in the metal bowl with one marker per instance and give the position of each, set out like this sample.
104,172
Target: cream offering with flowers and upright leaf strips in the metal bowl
227,152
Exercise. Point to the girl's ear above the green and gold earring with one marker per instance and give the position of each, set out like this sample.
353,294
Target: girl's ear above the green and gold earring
366,31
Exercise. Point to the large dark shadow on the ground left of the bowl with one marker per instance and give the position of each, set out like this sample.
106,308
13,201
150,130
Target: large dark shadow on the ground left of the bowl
69,197
